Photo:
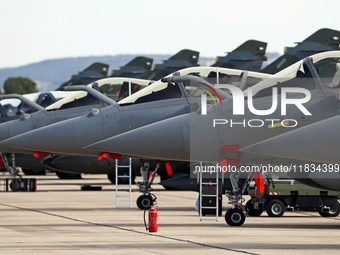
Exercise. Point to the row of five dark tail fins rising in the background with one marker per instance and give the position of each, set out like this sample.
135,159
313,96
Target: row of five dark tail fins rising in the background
248,56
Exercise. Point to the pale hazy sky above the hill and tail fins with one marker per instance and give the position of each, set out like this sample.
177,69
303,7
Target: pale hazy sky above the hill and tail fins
36,30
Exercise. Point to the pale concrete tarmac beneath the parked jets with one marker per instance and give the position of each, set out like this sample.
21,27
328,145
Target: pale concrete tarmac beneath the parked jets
59,218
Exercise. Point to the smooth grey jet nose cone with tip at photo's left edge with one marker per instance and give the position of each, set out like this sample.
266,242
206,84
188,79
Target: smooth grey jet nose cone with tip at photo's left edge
51,138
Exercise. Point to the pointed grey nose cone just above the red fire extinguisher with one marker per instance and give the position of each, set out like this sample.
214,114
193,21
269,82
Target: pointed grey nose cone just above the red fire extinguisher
161,140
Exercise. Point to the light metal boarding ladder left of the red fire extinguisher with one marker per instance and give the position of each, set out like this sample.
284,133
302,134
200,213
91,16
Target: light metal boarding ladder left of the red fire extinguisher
122,188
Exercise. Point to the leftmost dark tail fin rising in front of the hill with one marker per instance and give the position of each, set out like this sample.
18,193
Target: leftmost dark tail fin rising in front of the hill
90,74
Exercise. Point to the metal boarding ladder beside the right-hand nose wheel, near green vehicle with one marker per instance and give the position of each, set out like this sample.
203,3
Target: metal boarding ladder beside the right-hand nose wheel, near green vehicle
204,186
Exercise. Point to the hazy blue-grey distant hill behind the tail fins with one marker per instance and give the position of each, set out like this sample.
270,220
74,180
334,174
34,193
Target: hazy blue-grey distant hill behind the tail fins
50,74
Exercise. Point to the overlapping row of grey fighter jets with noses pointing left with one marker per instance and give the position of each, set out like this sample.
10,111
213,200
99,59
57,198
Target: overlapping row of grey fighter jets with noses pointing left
219,115
